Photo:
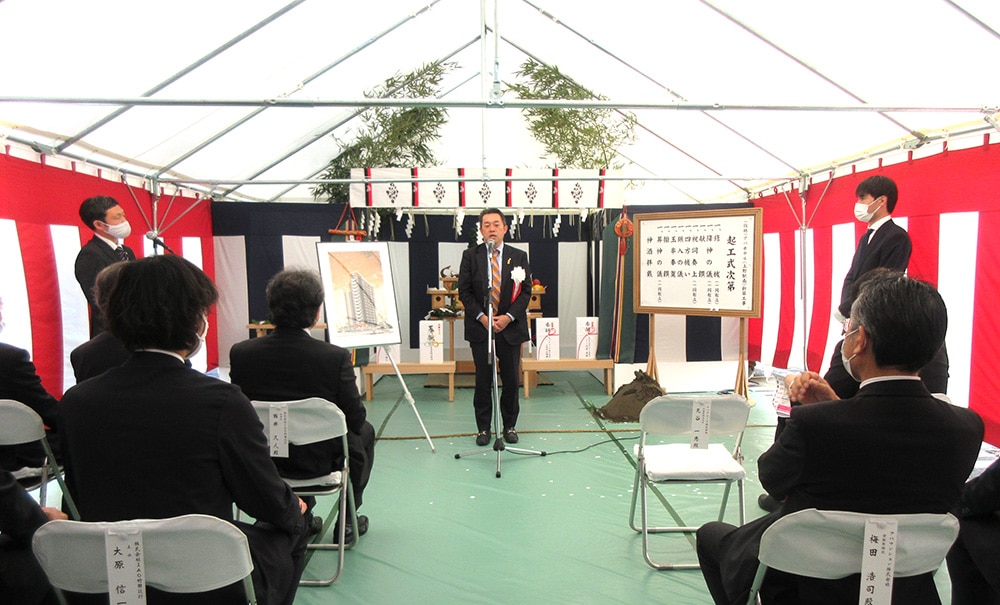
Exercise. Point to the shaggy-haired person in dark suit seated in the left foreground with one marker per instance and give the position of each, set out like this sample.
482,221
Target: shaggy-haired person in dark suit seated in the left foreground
154,438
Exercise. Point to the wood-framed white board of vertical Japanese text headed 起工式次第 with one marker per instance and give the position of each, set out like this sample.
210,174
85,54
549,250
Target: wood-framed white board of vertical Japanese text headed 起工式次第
706,262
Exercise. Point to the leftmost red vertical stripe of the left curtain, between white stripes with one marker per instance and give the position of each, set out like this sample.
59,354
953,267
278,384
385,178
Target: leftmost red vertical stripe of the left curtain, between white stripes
44,304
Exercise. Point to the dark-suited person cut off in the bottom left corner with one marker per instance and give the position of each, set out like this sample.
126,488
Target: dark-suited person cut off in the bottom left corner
21,579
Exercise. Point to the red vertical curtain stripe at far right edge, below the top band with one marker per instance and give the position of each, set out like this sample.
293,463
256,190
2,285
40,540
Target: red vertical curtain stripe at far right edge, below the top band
984,381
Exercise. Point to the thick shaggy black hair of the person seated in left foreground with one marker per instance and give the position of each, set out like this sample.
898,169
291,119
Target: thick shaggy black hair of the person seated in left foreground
158,302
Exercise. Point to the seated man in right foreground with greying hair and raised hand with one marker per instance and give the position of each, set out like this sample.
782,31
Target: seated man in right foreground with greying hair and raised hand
893,448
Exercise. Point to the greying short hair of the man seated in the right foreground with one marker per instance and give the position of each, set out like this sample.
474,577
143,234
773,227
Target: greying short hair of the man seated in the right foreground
904,319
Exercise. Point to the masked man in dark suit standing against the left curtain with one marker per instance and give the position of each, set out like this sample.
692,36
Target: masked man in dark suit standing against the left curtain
106,218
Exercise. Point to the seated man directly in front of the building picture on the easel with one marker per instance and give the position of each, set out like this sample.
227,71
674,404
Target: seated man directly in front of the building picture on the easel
289,364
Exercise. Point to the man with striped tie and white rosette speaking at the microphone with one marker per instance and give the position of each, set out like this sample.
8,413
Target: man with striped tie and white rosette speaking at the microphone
509,294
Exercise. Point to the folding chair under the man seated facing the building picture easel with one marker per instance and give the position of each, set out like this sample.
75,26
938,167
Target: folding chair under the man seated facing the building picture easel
309,421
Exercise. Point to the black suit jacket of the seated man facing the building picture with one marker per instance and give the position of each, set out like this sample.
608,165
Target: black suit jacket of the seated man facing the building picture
290,364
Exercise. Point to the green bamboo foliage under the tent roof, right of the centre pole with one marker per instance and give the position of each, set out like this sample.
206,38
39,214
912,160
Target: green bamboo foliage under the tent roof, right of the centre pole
577,138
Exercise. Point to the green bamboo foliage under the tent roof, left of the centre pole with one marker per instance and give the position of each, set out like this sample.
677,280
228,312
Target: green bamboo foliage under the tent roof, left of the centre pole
391,136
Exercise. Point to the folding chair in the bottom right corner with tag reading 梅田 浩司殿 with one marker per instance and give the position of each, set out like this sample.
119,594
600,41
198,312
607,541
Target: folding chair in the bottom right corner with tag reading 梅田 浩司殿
829,545
